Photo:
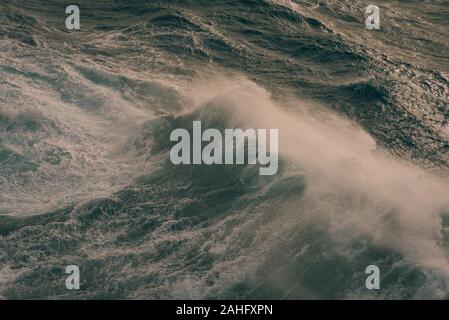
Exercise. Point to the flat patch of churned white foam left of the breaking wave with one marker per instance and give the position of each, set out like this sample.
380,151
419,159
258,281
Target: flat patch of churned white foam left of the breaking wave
92,132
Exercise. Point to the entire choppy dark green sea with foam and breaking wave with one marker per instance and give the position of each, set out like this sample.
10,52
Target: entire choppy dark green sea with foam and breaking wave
85,118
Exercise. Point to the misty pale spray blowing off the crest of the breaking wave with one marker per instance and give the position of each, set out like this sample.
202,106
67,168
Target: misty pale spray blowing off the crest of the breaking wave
361,188
